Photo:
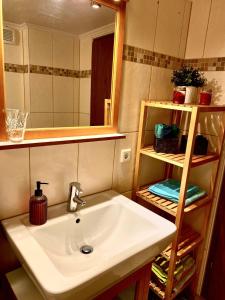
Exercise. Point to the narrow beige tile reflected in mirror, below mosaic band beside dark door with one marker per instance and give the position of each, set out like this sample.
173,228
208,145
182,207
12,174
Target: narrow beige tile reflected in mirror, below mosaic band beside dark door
85,95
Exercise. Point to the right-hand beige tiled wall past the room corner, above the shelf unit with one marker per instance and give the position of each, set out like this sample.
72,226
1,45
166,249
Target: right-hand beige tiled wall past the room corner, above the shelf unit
206,41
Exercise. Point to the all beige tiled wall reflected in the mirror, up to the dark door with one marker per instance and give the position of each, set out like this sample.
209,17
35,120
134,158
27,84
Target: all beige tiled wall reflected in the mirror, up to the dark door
58,62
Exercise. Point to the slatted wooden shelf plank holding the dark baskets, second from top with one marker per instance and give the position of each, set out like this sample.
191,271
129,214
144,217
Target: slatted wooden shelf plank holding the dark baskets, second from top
178,159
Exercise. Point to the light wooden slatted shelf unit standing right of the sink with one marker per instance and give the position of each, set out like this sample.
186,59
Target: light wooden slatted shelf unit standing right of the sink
182,243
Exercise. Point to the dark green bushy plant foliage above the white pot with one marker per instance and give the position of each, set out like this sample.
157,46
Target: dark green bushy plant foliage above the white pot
188,76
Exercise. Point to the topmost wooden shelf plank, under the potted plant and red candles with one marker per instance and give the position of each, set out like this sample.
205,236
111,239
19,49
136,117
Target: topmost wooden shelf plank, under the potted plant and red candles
184,107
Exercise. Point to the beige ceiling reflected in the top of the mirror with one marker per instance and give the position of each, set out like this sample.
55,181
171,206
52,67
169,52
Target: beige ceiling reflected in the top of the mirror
74,16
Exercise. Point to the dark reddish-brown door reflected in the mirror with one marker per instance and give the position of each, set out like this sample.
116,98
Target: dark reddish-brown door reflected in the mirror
101,75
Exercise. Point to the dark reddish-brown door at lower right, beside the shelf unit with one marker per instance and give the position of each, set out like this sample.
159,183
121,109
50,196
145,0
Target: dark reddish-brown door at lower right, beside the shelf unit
214,283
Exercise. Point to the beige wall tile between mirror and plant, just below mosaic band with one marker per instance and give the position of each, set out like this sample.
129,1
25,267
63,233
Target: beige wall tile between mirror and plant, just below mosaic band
135,87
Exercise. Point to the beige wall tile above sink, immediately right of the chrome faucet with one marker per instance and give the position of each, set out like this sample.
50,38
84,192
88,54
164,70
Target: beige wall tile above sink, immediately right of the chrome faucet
95,166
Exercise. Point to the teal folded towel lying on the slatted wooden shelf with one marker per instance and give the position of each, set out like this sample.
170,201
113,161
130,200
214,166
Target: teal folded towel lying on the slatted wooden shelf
170,189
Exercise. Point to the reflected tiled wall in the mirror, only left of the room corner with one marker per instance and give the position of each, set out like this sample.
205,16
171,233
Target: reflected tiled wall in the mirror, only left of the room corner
55,52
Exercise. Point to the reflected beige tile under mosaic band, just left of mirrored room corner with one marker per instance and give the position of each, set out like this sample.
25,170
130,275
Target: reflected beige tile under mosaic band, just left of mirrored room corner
63,94
